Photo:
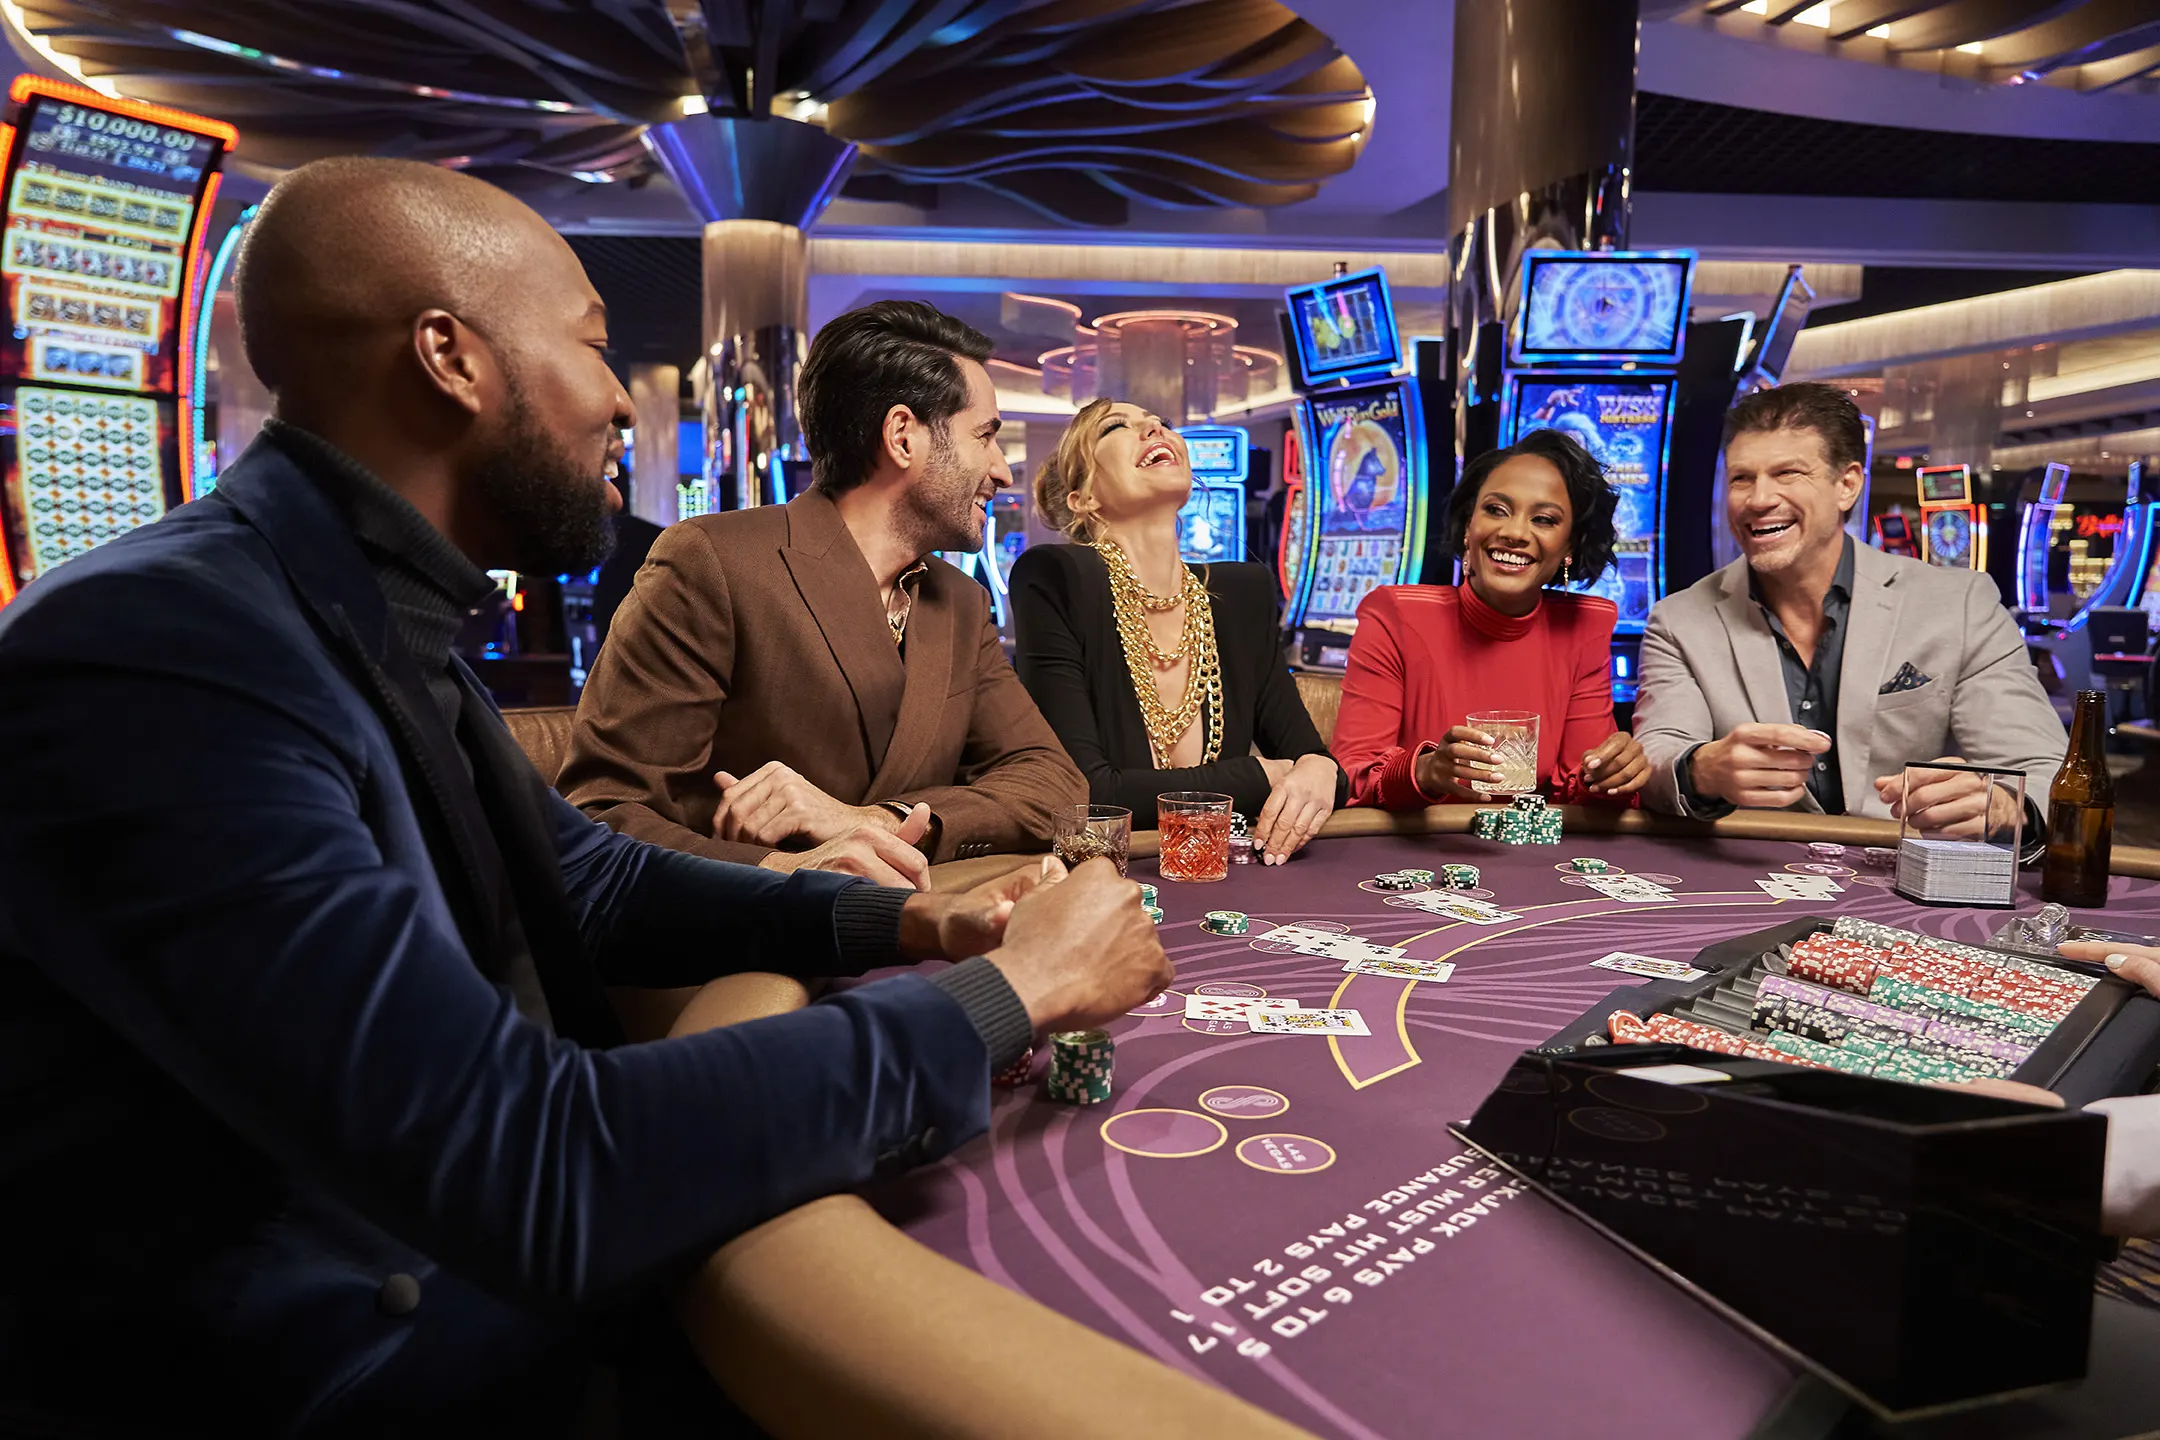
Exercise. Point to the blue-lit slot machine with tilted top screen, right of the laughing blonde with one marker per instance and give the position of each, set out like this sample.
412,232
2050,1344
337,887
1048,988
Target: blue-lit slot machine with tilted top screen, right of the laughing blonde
1360,508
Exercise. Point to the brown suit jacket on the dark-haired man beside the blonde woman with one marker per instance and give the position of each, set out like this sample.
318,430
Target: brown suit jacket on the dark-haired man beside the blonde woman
759,636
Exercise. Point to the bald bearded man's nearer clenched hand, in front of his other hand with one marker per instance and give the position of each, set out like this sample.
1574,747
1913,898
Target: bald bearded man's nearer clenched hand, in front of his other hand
1083,953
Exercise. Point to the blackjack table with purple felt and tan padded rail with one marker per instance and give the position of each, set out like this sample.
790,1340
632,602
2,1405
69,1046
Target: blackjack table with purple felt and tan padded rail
1278,1234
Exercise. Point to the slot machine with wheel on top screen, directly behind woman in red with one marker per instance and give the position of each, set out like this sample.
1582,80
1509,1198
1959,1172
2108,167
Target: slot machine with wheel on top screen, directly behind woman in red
1593,351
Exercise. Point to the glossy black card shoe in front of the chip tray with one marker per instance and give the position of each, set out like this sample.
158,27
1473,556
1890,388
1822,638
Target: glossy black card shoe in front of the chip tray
1921,1249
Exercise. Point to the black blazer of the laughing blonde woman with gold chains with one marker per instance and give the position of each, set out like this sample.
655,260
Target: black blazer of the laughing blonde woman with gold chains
1072,662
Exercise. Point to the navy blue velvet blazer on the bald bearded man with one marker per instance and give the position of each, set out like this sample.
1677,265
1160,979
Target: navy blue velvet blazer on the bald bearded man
252,1068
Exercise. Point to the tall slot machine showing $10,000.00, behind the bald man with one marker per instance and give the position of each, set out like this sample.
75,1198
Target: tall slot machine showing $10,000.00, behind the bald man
107,202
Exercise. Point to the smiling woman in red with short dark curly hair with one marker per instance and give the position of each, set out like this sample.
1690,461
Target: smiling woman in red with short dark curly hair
1429,655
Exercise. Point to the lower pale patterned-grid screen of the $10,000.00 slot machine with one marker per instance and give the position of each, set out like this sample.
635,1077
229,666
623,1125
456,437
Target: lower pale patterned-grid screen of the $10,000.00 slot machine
85,470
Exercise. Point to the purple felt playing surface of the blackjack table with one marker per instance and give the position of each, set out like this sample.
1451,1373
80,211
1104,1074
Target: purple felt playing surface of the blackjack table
1288,1217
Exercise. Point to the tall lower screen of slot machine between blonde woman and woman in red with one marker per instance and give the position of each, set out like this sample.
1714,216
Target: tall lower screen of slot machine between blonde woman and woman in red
1366,498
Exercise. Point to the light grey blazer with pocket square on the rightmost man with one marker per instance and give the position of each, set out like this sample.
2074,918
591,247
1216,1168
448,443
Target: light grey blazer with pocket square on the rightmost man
1710,664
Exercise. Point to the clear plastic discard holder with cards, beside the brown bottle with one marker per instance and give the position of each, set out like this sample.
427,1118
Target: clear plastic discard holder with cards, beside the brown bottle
1960,862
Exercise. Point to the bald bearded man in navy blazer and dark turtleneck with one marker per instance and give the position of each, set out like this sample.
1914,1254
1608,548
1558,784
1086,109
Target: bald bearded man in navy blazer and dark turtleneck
319,1113
